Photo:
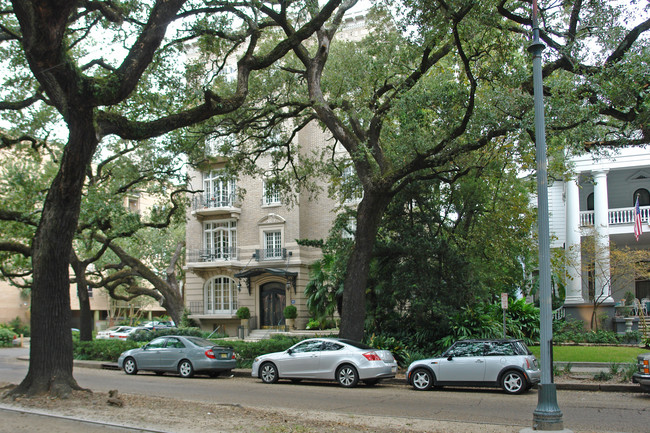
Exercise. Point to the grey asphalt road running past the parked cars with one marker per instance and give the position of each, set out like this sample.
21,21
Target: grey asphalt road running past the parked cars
582,410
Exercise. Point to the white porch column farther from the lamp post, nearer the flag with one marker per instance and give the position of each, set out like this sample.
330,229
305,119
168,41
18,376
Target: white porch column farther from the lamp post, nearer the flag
601,225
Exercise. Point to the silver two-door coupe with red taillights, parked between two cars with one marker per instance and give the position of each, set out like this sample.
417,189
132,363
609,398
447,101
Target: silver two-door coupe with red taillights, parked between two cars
345,361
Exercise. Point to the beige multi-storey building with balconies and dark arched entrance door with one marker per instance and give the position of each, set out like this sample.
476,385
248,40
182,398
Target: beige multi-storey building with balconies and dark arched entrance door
242,249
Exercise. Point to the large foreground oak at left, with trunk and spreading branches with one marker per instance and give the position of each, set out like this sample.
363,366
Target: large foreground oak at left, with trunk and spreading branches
104,69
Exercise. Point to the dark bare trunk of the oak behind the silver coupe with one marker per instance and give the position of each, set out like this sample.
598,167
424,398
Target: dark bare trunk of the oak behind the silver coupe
369,215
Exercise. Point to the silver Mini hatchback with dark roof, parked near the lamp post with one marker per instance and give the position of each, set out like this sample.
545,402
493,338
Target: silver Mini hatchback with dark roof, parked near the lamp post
508,364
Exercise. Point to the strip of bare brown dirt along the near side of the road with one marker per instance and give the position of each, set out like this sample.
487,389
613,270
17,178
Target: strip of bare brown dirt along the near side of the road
180,416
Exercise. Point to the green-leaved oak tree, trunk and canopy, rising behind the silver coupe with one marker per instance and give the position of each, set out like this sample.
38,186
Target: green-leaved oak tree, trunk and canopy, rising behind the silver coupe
440,80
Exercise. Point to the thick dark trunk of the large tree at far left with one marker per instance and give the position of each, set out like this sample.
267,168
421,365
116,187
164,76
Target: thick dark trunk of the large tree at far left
50,366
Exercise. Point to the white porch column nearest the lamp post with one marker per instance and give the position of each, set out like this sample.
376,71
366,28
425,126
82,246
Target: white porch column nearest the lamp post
572,247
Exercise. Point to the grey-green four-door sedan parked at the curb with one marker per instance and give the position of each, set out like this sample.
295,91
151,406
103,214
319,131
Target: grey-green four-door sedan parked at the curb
179,354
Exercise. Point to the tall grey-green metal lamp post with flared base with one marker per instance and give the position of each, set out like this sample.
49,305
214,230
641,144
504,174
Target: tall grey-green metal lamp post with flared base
547,414
